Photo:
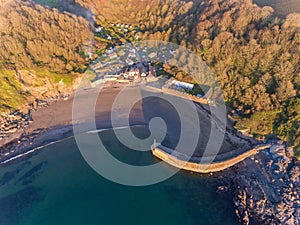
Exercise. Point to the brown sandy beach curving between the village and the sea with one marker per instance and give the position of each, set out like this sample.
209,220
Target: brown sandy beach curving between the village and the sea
54,122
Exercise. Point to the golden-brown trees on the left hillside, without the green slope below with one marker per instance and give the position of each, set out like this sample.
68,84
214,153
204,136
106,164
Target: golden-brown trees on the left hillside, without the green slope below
32,35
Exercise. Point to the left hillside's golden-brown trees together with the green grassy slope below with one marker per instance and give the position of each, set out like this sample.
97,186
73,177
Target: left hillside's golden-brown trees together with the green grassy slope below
42,41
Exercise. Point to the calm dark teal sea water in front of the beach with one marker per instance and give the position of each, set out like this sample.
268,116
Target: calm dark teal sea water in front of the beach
56,186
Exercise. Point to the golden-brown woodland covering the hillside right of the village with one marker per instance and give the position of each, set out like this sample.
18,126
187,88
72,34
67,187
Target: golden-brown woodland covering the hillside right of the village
254,54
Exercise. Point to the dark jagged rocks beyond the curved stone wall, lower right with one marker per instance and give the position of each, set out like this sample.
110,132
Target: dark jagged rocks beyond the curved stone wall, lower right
267,187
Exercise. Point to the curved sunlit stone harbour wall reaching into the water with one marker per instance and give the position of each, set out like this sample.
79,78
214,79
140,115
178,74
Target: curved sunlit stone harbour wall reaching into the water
205,164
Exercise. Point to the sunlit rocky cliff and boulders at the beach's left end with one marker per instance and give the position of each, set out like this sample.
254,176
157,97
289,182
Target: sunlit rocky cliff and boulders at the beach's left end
41,92
